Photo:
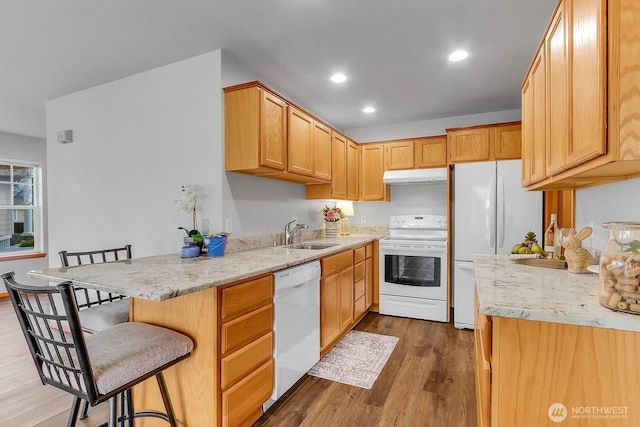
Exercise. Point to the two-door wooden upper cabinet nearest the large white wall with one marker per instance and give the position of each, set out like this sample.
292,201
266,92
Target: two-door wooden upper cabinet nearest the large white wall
267,136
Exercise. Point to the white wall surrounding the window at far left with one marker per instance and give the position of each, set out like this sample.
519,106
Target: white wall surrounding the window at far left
25,148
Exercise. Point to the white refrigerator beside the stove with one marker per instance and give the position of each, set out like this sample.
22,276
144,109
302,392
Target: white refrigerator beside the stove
492,212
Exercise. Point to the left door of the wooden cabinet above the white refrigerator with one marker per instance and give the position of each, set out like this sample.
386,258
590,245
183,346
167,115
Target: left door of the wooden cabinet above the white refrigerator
468,145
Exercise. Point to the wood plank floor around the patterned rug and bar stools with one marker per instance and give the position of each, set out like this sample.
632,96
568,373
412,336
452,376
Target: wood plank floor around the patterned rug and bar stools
428,381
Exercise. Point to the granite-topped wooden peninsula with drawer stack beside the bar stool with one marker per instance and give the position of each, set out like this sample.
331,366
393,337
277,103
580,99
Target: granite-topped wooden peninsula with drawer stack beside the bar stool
225,304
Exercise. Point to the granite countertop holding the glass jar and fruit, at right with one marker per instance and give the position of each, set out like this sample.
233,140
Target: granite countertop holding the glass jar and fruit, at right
507,289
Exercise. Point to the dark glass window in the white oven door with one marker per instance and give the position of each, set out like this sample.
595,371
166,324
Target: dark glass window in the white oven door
412,270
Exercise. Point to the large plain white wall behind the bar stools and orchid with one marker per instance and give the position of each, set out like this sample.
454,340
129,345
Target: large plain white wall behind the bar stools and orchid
137,140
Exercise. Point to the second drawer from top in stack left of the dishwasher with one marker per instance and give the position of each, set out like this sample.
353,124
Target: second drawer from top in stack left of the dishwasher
244,329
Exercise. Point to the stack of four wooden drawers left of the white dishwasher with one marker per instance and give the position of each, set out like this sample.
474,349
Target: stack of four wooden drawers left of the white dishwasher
245,345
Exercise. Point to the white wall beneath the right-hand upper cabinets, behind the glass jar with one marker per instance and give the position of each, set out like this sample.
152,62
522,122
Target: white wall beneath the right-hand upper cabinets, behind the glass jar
605,203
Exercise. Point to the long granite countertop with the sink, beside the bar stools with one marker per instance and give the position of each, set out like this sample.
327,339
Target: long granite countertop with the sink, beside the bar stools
158,278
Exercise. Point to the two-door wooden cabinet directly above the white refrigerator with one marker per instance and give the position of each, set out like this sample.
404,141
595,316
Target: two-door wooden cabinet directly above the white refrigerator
481,143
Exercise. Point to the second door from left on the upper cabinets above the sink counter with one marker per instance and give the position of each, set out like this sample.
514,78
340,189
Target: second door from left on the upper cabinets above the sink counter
300,142
